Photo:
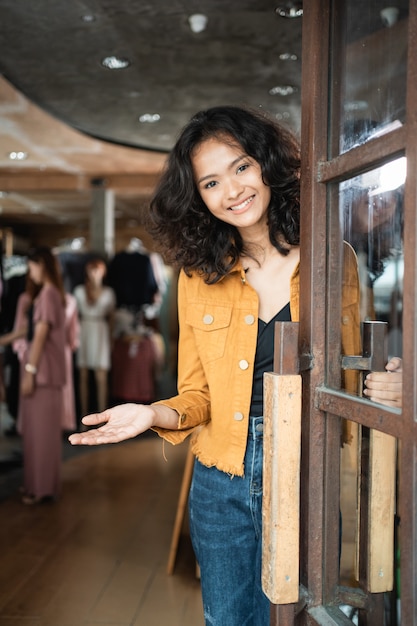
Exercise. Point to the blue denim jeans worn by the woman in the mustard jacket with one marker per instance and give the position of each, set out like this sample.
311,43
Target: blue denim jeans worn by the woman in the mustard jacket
226,531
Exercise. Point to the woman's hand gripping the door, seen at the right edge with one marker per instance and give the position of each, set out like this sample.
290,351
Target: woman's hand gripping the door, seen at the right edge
386,387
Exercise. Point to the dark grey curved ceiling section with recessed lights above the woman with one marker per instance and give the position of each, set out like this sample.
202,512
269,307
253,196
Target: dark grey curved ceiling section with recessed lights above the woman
52,53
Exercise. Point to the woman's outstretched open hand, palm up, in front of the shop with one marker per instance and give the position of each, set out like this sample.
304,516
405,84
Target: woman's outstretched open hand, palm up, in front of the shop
117,424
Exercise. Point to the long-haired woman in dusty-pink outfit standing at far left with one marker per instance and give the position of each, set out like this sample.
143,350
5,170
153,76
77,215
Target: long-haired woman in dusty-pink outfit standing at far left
42,381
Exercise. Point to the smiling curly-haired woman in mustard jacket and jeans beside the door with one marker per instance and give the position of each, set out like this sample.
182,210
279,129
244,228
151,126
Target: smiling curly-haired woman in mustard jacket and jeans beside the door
227,212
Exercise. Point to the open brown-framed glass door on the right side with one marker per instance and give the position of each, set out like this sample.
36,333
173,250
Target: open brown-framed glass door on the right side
358,474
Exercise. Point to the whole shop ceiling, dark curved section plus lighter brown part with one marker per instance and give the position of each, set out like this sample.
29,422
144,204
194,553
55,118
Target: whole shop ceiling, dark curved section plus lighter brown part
78,123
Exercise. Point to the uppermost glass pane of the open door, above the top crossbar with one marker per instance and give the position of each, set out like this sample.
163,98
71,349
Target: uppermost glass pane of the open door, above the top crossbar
371,70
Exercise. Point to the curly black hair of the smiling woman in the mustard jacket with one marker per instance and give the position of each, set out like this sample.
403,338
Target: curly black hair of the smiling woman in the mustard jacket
189,235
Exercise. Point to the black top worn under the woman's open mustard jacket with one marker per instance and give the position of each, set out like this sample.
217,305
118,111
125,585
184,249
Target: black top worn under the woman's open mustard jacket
264,357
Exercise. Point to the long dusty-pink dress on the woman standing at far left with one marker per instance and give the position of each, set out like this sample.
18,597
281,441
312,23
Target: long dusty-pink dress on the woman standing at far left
41,412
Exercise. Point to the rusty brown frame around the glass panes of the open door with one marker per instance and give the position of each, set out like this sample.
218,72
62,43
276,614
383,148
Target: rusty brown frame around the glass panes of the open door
323,403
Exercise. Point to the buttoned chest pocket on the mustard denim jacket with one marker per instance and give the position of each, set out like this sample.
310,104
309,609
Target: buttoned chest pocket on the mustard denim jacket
210,324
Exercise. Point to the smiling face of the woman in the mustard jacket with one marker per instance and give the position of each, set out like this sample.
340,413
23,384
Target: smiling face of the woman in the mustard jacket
230,184
